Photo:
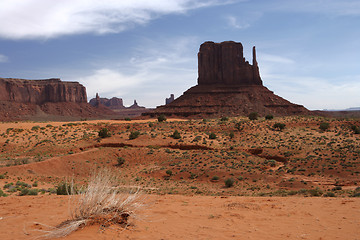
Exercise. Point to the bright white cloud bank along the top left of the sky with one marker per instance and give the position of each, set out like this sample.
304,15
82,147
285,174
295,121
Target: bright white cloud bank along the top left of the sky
30,19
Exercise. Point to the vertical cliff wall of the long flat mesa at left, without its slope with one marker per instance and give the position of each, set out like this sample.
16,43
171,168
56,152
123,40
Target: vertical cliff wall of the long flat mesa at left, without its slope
41,91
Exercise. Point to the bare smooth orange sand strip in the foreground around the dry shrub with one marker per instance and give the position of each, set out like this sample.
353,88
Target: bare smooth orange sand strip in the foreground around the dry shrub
196,217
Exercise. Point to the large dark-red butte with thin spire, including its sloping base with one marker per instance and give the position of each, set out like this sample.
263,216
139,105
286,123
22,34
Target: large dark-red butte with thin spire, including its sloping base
228,85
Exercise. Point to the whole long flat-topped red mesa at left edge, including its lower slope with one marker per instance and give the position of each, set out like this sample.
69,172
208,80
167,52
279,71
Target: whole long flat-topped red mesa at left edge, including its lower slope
24,99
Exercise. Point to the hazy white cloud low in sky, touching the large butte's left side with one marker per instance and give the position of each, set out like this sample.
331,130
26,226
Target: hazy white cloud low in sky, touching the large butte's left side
153,72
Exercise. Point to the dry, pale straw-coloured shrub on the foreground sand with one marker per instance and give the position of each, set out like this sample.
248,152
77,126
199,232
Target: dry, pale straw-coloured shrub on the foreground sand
98,203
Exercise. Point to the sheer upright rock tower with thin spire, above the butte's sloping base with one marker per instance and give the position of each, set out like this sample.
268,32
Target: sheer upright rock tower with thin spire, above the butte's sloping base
224,64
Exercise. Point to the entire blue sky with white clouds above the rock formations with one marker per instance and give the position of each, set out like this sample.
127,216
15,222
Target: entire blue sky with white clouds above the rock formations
308,51
